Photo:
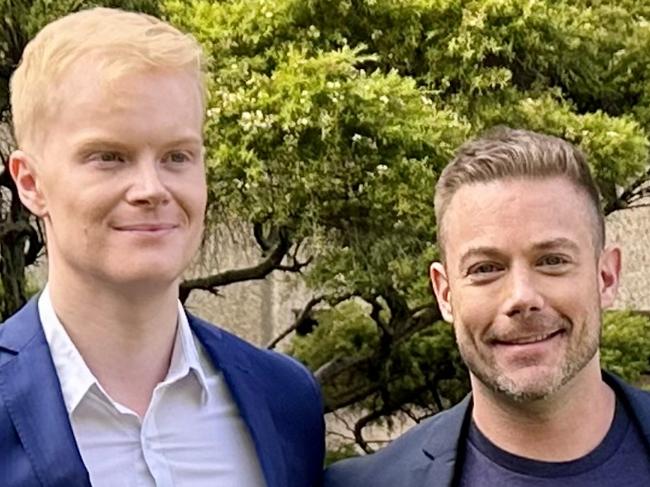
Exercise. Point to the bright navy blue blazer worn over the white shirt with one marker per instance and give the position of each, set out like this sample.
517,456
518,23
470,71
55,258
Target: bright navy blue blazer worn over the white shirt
277,398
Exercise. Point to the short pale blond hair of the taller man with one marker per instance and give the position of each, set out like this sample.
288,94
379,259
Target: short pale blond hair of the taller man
120,42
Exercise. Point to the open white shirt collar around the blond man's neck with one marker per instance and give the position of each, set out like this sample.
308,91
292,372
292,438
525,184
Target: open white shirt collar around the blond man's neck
76,378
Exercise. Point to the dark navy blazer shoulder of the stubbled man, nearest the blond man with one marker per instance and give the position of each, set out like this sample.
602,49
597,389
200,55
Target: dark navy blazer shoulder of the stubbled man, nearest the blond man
406,459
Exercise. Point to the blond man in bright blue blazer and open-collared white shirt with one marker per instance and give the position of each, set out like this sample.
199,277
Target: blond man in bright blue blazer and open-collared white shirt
104,378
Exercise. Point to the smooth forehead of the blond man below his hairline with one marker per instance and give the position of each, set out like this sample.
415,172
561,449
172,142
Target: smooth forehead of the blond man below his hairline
143,107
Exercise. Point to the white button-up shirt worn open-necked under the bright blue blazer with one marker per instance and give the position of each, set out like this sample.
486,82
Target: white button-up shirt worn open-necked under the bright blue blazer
191,435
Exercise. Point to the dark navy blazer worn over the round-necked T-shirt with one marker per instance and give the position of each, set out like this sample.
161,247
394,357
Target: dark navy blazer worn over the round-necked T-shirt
429,453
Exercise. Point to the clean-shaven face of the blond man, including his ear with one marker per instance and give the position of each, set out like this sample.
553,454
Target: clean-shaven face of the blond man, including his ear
119,178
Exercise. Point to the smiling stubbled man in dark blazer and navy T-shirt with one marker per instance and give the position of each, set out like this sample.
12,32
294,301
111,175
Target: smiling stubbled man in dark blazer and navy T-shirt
523,278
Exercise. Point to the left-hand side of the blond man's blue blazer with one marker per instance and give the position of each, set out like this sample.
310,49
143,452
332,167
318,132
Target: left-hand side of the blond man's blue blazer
29,388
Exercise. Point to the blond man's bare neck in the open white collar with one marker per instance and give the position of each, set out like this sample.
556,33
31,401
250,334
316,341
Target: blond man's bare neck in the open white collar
124,334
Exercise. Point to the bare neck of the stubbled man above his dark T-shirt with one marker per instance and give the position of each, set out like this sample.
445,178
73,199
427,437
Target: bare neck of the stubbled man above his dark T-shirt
560,428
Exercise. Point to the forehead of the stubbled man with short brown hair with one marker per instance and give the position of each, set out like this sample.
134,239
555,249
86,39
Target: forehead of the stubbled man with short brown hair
517,214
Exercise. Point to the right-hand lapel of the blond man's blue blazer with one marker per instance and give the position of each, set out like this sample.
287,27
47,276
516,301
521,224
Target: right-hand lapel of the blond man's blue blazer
247,388
